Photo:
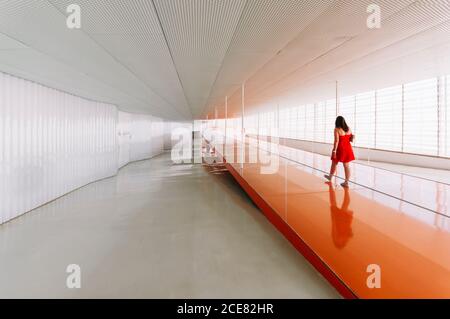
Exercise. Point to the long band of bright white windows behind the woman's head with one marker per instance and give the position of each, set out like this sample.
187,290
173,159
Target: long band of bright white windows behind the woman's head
402,118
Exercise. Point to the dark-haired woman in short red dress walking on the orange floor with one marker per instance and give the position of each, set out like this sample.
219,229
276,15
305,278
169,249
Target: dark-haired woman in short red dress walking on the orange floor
342,150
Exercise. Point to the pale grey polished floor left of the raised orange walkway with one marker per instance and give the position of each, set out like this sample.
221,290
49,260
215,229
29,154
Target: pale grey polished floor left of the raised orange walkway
156,230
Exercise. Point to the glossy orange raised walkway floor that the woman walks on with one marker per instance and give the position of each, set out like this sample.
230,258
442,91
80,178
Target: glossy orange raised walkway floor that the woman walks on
348,230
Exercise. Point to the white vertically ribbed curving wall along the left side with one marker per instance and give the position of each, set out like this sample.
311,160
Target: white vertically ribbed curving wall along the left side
52,143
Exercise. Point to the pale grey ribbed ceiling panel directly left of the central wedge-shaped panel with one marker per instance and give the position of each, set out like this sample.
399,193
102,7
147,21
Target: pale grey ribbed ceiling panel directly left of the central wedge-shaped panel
130,32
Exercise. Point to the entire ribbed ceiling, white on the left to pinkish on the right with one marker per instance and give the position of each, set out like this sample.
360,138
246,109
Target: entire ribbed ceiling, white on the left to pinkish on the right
178,59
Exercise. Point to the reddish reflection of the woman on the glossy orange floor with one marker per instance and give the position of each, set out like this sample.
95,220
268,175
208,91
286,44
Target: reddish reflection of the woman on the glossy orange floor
341,219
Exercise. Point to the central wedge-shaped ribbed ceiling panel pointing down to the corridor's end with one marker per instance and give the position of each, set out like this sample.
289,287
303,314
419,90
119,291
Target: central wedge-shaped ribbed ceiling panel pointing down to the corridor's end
199,33
